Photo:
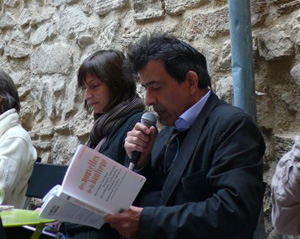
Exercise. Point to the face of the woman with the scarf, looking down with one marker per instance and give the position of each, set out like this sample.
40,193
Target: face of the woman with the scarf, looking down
96,93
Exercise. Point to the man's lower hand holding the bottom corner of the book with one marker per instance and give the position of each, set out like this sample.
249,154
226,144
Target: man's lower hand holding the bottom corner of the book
126,223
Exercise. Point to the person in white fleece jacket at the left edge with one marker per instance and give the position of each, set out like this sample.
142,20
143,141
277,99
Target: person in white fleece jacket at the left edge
17,154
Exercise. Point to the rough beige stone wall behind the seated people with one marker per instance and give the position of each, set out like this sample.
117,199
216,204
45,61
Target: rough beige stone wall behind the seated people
43,42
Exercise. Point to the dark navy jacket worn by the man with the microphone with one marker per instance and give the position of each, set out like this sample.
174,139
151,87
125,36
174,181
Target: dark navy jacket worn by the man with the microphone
215,188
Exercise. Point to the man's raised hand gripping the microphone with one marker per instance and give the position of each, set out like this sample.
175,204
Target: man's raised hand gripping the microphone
141,139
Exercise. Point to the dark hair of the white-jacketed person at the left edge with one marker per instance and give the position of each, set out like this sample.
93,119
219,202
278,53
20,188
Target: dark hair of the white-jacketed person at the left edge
8,93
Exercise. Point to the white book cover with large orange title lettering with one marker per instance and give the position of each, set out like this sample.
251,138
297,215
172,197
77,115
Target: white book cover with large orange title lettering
99,181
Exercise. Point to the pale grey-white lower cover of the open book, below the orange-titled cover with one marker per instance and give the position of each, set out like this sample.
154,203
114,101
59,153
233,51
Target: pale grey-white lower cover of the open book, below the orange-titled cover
64,211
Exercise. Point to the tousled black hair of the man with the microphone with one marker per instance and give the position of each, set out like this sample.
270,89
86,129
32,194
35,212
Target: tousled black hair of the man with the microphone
179,57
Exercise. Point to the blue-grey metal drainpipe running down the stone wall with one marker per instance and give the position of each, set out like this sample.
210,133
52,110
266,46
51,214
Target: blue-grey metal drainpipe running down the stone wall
242,70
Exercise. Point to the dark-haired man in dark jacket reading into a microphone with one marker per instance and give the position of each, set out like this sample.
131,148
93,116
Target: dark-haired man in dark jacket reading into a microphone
213,188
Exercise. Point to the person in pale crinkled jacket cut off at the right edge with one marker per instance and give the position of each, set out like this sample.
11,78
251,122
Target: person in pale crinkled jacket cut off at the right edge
286,192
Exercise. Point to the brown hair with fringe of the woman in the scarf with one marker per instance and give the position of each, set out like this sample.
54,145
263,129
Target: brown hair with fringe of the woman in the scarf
108,67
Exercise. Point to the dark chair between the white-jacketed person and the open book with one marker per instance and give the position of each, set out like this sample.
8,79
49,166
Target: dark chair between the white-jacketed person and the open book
43,178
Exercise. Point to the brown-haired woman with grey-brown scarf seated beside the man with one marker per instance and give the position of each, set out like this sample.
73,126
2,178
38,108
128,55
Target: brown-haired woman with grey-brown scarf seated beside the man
110,92
